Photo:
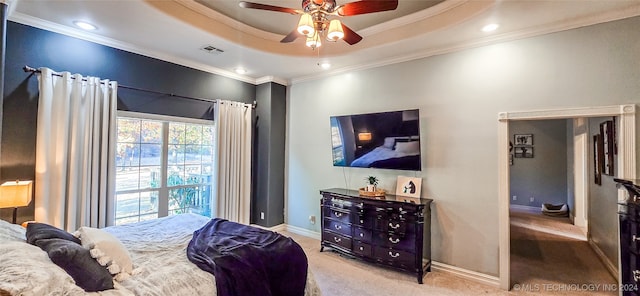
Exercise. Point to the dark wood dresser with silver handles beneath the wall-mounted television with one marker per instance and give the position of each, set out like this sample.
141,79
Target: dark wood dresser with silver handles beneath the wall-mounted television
392,231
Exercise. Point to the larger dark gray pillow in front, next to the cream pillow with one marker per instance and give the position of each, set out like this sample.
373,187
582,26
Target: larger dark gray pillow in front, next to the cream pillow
76,260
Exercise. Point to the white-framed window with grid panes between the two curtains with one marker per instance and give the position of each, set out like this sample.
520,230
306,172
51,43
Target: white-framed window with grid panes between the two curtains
164,166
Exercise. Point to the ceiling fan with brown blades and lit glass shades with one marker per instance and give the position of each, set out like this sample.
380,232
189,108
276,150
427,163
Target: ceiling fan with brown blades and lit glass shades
319,17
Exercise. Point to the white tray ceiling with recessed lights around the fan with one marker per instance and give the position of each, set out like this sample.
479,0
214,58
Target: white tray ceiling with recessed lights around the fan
176,30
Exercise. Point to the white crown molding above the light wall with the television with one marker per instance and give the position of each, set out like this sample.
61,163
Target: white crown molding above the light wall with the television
615,15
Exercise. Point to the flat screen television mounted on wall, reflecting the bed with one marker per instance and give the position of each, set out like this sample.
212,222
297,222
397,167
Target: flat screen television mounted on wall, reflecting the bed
386,140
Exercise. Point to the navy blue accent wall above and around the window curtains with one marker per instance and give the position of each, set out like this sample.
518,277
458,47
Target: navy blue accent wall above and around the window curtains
40,48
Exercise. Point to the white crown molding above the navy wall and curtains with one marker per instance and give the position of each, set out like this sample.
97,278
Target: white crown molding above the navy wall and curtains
68,31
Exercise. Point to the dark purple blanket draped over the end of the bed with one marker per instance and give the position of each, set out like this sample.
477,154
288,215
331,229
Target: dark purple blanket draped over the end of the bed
246,260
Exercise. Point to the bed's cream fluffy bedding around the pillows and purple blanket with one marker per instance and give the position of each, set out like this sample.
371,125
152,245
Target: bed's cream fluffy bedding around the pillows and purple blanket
157,249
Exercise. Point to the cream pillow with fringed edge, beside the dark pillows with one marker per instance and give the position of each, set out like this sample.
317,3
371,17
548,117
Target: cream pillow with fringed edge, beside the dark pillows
107,250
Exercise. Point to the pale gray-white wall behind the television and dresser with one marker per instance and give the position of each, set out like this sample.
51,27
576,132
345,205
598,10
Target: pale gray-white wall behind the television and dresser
459,96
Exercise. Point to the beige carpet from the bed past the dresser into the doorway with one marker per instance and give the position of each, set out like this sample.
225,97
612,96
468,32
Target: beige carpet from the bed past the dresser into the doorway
532,252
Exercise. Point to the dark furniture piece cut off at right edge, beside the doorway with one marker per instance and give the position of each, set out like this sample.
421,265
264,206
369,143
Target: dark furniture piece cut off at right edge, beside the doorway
629,219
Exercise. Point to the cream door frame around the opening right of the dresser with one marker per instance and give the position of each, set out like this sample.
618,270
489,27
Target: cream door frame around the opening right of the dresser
626,162
